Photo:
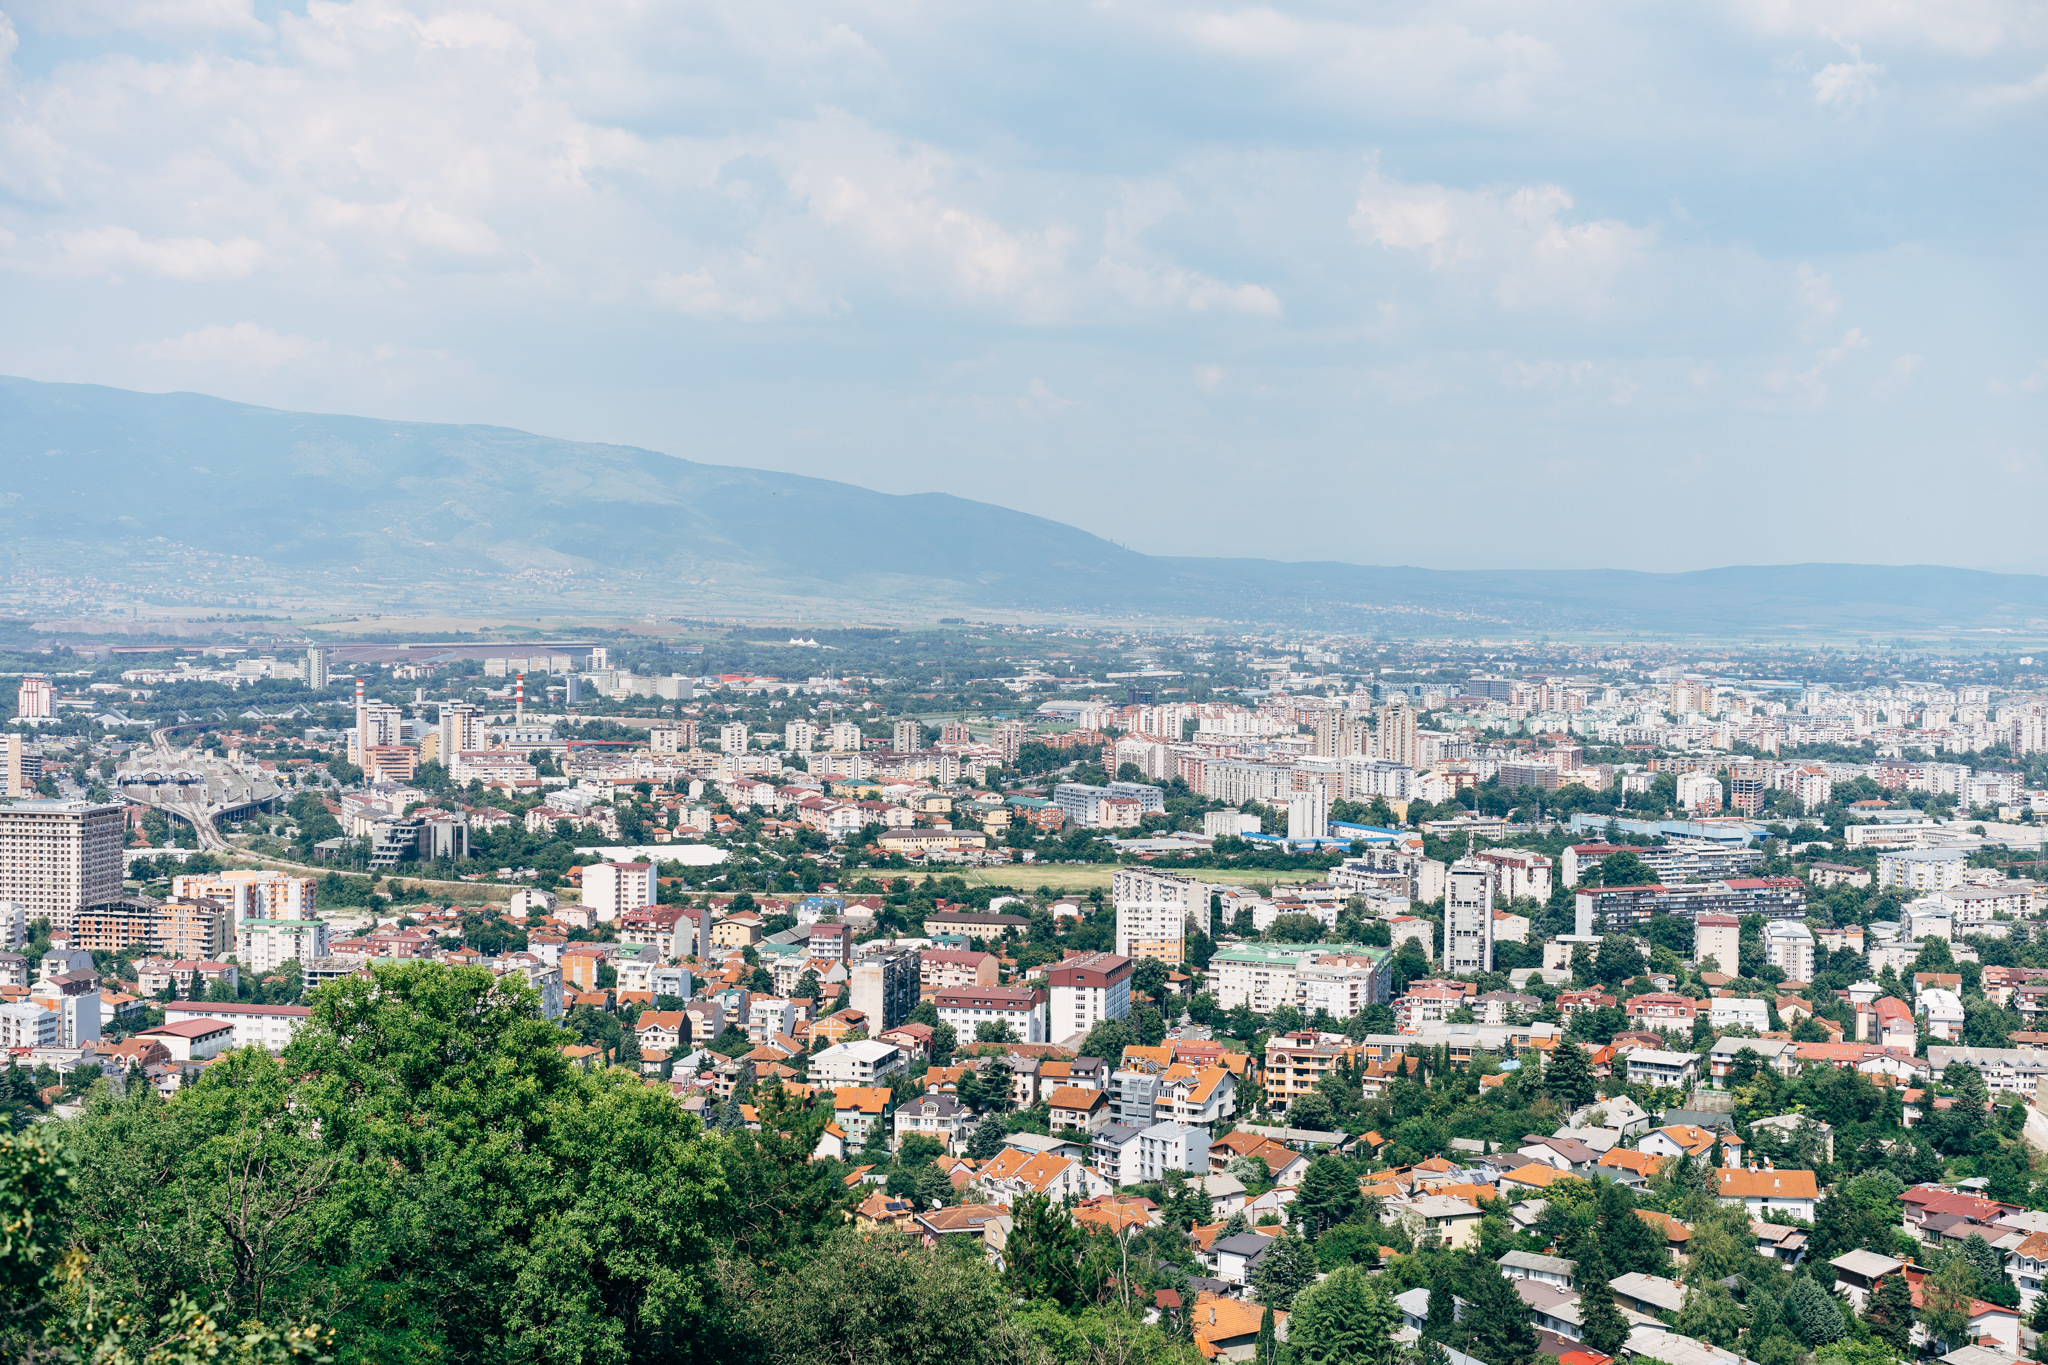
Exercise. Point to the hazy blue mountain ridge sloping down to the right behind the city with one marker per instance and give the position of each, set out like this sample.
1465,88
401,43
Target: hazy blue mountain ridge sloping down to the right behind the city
161,488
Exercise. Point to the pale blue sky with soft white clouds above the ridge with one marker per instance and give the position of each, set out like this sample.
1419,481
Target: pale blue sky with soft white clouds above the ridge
1451,285
